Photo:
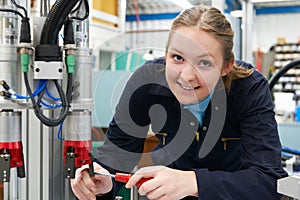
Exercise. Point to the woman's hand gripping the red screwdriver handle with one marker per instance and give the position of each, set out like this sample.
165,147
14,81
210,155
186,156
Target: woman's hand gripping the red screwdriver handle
167,183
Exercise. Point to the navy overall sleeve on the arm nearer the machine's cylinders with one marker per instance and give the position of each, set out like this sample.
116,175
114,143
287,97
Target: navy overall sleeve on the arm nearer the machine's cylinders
124,141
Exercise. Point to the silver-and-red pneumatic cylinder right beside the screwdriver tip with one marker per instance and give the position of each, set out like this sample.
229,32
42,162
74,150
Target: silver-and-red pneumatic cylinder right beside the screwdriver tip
77,142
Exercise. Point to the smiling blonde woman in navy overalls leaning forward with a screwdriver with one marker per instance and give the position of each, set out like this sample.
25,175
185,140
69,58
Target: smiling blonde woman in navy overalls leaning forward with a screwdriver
212,115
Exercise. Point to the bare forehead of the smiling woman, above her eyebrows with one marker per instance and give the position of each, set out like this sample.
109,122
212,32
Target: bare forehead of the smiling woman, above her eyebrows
194,41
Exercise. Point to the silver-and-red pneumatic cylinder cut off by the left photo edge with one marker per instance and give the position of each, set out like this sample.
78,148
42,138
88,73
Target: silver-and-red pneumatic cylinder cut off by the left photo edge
11,149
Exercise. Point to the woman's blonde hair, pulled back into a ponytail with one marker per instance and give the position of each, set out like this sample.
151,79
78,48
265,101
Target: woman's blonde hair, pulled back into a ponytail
211,20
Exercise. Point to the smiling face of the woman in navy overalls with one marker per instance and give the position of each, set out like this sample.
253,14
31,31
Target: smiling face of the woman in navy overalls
194,64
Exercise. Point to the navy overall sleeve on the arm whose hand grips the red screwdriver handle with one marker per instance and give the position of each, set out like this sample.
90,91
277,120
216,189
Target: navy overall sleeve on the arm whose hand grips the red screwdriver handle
260,162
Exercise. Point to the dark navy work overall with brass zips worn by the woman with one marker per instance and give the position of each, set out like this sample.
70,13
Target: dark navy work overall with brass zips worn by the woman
241,159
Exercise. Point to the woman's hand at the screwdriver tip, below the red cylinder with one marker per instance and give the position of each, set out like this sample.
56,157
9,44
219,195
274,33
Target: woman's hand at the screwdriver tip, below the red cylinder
86,187
